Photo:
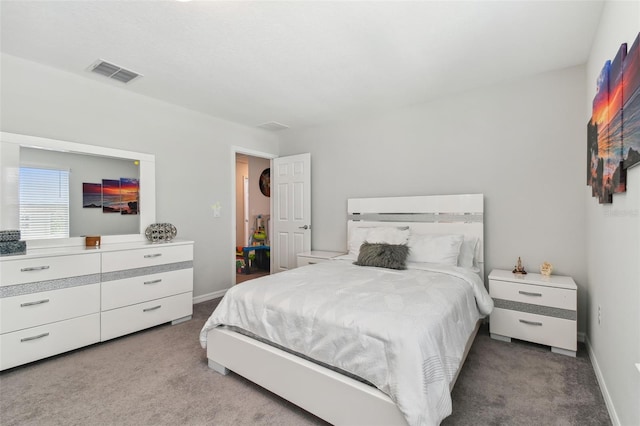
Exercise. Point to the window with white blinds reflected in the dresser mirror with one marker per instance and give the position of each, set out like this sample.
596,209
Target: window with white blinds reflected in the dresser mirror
44,203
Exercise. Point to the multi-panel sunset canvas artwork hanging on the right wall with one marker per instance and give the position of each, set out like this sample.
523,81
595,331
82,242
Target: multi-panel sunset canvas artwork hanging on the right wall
613,133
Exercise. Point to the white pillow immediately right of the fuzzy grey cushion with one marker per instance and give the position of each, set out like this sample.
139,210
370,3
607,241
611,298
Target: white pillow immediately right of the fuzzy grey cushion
443,249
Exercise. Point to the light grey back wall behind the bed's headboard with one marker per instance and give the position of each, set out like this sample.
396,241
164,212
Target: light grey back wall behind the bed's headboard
521,143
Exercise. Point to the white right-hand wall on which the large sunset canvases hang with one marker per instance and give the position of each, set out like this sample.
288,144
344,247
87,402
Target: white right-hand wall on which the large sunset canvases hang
613,253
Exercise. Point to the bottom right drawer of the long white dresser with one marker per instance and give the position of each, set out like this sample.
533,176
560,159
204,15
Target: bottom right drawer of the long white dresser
118,322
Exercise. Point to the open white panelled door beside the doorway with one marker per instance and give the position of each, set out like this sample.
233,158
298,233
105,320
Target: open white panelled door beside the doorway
291,218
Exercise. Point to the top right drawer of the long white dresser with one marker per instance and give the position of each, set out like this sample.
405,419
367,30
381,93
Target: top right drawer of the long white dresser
151,256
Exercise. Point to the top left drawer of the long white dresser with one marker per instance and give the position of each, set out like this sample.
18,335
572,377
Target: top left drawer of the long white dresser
48,268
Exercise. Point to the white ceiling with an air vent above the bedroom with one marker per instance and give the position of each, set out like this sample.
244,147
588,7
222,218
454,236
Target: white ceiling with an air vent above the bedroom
302,63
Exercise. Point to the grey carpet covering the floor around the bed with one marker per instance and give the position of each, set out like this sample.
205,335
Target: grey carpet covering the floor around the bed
160,377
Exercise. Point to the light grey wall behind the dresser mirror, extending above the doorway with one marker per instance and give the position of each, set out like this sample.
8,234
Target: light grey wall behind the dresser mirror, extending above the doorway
193,150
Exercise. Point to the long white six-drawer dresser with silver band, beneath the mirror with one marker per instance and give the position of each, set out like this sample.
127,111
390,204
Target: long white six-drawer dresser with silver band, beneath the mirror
58,299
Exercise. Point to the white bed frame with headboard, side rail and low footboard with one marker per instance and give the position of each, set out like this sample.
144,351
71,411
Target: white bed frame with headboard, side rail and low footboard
329,395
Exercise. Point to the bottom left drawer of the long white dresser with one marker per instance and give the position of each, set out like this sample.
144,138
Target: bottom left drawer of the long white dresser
35,343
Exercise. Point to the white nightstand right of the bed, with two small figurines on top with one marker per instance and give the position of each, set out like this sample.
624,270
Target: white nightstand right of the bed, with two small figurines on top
534,308
